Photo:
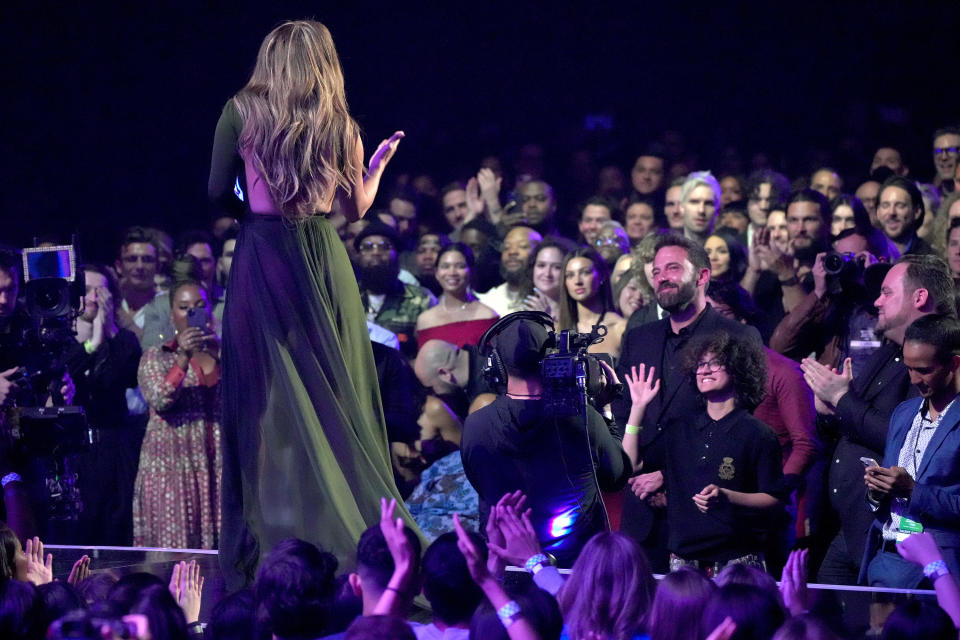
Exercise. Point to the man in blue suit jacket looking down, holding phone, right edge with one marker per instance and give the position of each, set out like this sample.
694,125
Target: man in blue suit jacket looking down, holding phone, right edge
918,486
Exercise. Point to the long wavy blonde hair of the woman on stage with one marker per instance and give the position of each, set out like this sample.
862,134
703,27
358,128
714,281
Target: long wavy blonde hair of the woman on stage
297,130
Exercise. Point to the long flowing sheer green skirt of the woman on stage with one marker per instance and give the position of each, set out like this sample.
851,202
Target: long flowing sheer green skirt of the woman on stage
304,443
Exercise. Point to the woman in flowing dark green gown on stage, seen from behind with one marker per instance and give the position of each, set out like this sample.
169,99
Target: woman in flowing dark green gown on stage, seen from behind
304,443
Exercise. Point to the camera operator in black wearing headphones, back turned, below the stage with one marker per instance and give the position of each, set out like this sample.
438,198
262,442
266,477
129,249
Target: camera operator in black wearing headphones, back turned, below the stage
561,462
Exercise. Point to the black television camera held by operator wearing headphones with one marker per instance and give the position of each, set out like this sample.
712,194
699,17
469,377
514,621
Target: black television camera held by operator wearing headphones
570,372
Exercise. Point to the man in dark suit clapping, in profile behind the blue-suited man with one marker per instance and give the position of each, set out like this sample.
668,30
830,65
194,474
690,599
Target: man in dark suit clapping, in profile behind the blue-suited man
863,401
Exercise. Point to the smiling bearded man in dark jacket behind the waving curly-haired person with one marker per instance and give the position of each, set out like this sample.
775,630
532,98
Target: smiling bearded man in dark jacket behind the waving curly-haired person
681,272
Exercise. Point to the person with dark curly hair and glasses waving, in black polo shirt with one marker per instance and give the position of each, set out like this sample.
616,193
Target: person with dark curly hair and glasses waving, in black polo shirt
722,470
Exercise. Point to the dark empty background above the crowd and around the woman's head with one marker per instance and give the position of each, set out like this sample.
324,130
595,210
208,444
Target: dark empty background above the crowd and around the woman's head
110,110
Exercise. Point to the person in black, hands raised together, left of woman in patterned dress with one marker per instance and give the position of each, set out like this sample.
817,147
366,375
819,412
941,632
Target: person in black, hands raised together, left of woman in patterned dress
103,363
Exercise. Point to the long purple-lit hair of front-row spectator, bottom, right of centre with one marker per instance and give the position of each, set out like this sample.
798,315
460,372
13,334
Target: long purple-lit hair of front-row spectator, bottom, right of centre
610,589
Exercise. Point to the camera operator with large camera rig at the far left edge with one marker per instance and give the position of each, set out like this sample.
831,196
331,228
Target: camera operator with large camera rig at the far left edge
37,482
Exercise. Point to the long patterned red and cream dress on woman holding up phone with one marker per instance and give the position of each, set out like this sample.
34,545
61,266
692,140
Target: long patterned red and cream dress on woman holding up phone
176,500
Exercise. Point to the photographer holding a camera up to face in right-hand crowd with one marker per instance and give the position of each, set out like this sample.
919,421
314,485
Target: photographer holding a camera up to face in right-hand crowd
836,319
